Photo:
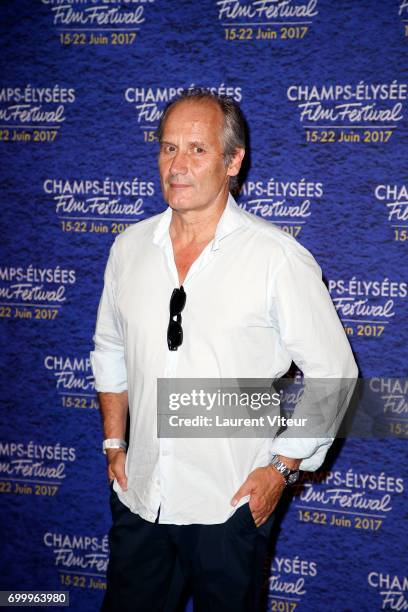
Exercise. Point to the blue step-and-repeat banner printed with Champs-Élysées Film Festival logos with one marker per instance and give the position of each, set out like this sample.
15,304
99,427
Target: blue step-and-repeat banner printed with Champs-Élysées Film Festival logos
324,89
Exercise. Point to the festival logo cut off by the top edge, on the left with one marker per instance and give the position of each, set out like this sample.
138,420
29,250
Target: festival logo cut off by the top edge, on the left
98,22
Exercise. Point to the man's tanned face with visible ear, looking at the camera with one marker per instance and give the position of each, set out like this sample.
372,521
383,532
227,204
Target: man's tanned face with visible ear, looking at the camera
193,174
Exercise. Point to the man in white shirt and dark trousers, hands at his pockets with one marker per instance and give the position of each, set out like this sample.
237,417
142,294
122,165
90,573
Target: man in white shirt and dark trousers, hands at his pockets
245,300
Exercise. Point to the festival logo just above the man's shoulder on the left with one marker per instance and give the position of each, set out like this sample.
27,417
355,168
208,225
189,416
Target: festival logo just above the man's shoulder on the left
106,206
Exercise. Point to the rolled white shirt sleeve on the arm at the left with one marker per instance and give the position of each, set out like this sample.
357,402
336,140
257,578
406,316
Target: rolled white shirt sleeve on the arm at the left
108,357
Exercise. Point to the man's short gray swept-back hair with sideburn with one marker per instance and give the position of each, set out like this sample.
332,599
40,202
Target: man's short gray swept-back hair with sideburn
234,134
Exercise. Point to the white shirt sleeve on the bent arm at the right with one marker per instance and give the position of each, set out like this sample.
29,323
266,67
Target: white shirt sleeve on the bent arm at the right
310,330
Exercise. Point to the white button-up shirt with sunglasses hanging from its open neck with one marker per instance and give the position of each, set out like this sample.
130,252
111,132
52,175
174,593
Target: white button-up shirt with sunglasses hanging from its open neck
255,302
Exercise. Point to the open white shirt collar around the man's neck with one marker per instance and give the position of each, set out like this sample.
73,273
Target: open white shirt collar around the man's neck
231,219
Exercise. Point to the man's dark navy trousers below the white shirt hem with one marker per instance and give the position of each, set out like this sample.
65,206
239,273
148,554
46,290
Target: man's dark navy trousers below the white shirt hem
224,564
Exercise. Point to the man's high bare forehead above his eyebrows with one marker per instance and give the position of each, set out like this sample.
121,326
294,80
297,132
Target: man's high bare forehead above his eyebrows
196,117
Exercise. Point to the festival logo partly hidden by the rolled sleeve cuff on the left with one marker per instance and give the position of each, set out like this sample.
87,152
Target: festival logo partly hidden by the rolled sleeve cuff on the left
73,379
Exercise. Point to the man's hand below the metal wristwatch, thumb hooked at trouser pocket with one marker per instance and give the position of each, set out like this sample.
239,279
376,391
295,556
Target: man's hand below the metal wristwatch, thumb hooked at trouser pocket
265,486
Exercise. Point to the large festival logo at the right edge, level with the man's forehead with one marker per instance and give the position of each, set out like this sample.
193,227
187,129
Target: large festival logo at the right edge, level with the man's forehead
344,113
